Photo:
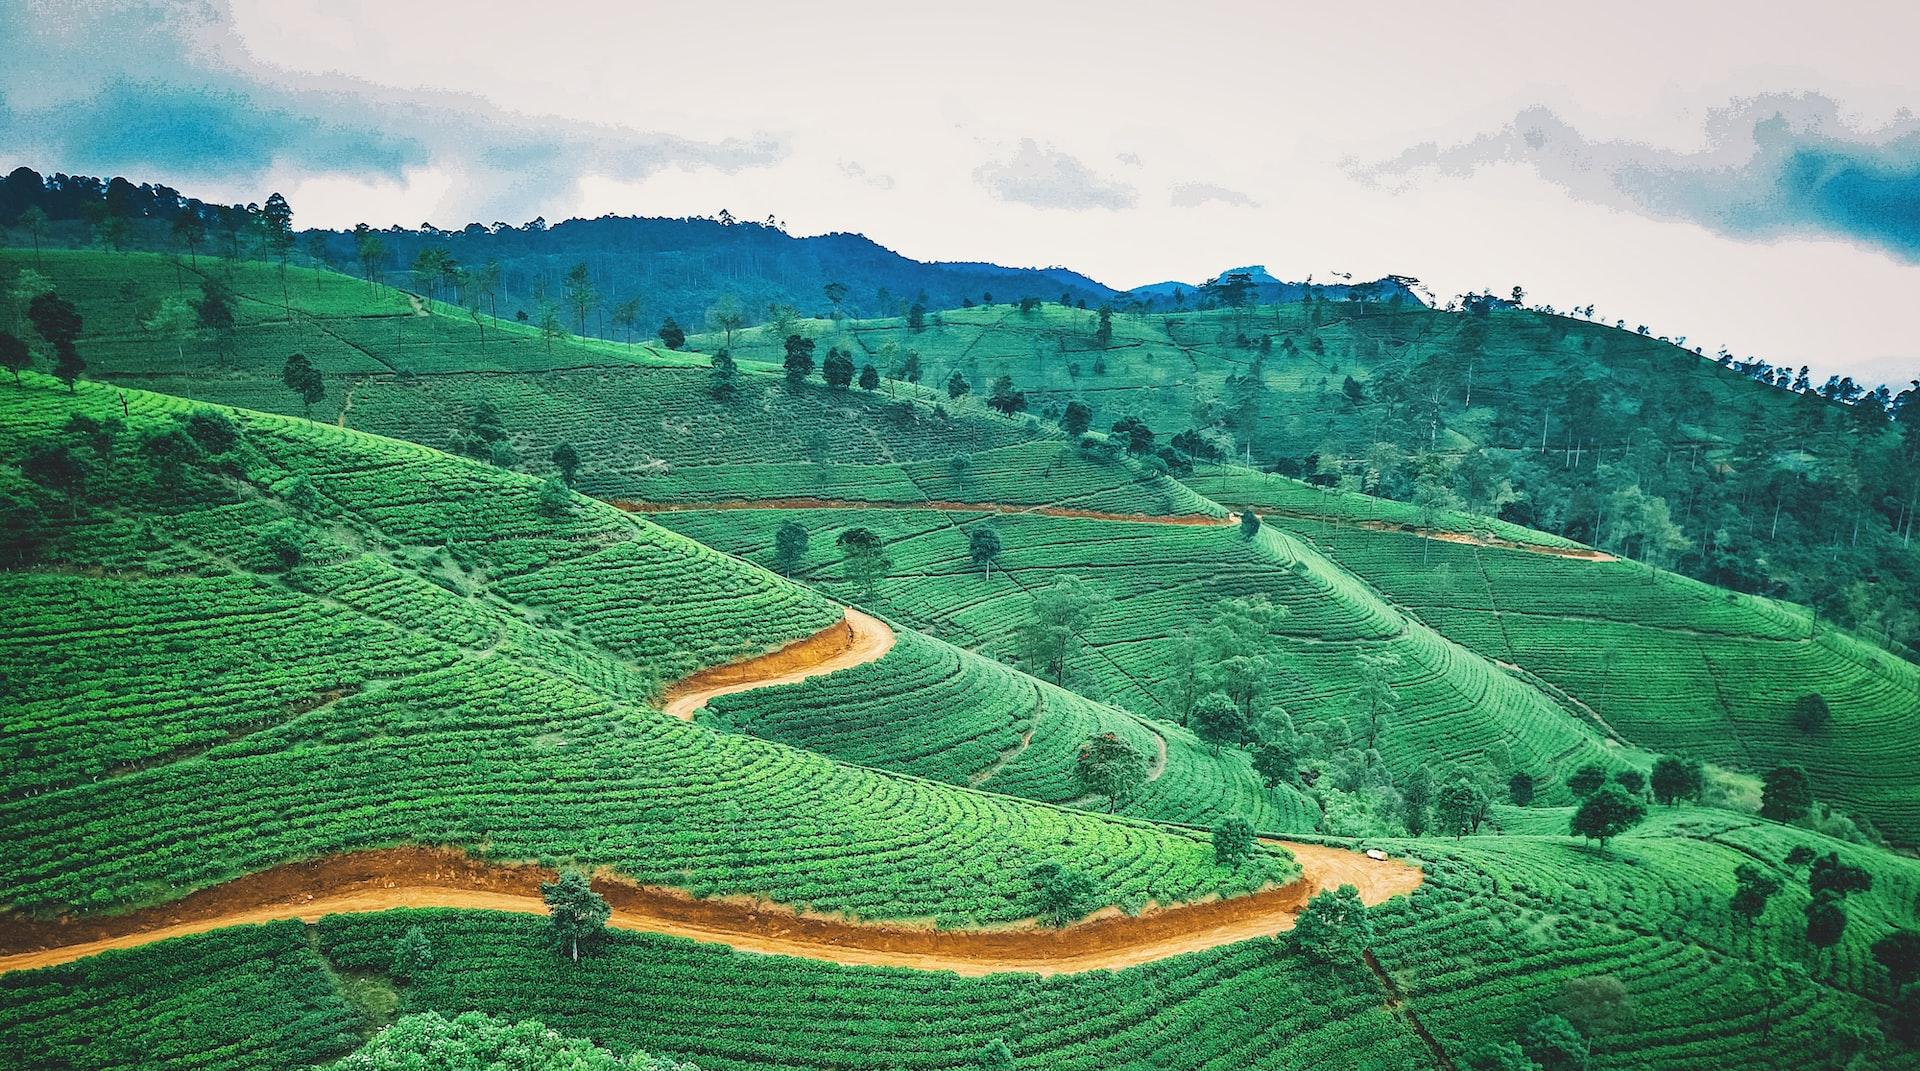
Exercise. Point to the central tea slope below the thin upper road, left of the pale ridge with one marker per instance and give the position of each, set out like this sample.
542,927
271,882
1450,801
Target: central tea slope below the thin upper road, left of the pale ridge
1164,583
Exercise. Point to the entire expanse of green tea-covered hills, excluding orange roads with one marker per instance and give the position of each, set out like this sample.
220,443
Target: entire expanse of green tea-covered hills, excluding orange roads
241,638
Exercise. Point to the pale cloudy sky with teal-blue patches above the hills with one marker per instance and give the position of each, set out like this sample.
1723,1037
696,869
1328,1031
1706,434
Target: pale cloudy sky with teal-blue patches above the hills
1744,179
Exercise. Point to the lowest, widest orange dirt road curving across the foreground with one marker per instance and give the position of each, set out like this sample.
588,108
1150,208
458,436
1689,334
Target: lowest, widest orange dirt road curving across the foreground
443,878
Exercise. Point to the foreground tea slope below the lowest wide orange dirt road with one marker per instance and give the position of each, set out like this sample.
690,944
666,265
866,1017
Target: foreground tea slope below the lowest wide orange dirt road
1481,951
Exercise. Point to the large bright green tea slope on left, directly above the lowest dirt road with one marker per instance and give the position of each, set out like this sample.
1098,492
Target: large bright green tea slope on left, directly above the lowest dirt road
204,715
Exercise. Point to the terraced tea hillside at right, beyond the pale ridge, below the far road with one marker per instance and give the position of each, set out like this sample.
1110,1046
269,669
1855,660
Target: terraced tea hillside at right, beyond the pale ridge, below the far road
1669,663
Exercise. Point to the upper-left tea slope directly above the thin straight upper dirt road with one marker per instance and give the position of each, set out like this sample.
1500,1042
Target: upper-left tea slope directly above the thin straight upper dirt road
640,417
